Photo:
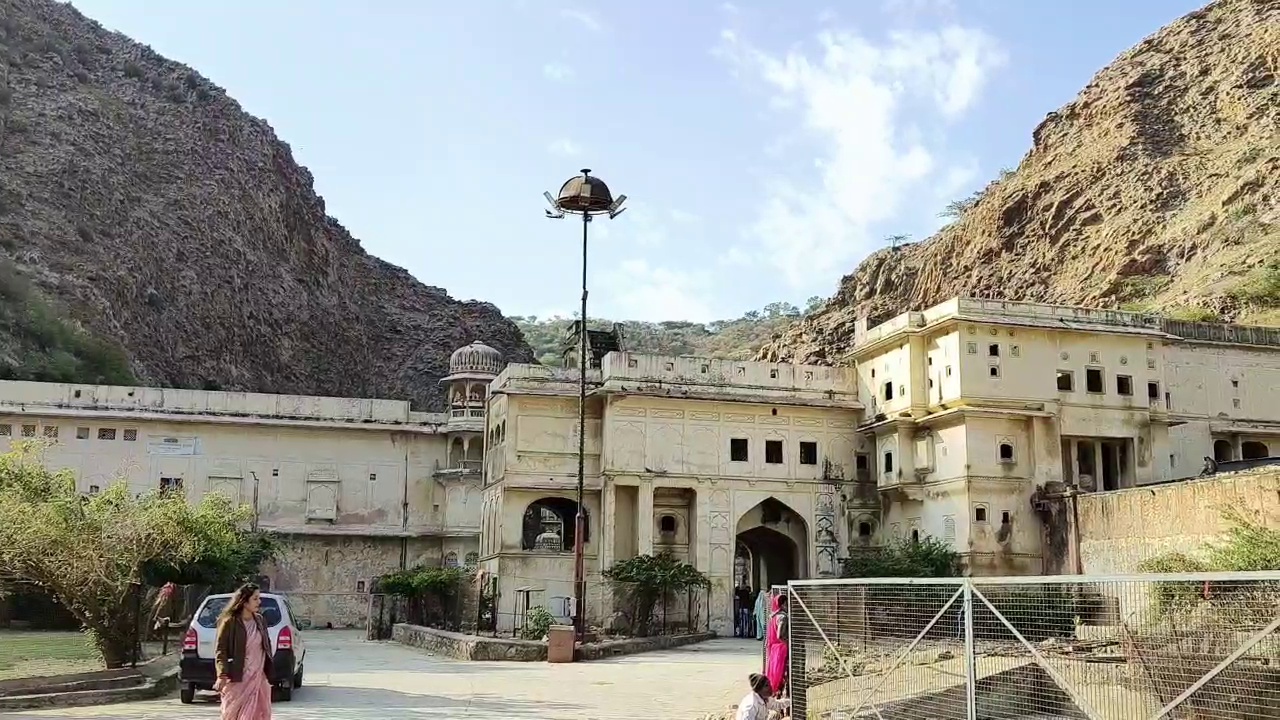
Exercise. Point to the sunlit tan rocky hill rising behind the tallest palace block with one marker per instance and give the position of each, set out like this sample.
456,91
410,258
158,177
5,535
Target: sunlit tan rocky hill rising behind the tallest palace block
1158,189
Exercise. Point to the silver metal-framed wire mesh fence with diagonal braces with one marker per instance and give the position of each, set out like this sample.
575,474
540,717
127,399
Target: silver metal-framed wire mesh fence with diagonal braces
1108,649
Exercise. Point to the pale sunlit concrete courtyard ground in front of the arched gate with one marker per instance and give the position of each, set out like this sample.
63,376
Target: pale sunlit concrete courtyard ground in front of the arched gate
349,678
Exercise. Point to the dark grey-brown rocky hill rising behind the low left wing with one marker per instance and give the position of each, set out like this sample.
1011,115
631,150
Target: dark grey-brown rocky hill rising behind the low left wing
150,229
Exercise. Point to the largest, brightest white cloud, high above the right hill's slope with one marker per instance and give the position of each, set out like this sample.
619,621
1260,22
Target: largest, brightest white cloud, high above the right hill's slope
862,104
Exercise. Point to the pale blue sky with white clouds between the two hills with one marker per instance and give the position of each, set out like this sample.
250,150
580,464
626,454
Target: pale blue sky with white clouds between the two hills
765,148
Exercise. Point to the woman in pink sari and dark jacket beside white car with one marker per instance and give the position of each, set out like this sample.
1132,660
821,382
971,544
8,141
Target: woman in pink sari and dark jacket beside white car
244,659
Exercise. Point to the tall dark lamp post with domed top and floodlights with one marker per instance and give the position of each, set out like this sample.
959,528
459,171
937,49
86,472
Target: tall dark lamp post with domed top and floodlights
587,197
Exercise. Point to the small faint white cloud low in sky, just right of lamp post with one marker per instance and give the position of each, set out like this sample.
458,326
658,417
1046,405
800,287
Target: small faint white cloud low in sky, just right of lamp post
639,291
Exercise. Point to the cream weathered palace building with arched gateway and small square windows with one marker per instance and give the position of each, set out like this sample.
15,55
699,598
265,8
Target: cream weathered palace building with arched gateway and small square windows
945,422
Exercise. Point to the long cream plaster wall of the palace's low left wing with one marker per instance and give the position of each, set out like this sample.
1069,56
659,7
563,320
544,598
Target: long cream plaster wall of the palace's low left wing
368,470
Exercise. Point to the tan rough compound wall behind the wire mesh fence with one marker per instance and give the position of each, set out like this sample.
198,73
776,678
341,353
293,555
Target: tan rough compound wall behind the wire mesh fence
1121,530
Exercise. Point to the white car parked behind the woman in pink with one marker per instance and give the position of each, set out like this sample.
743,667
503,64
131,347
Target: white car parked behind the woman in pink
196,671
